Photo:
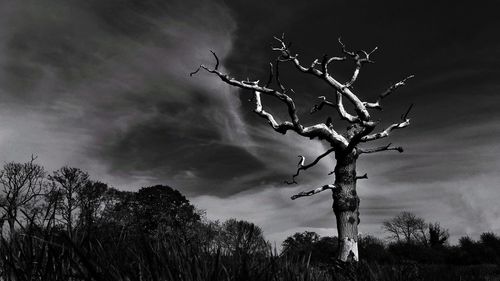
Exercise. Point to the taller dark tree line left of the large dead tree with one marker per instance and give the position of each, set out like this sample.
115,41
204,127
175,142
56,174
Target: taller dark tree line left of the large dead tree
67,201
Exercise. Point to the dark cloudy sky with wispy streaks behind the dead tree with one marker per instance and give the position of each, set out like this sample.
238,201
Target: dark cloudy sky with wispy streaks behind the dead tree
105,86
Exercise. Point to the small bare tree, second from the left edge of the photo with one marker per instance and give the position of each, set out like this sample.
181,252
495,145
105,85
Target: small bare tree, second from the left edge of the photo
69,183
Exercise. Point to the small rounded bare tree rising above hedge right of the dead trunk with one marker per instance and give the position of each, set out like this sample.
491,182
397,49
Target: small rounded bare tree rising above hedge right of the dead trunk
406,227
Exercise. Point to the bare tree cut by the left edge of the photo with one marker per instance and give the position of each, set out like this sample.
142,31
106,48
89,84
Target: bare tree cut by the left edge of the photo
21,184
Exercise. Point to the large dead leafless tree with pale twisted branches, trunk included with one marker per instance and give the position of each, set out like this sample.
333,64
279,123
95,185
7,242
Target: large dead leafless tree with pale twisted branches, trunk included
346,145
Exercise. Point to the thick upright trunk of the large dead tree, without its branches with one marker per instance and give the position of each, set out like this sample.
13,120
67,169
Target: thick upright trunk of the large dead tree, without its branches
346,206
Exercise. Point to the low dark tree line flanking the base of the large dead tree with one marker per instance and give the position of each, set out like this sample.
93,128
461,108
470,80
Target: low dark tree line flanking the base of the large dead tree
410,239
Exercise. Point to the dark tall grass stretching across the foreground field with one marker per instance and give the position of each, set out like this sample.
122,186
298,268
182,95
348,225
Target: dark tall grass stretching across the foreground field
55,257
